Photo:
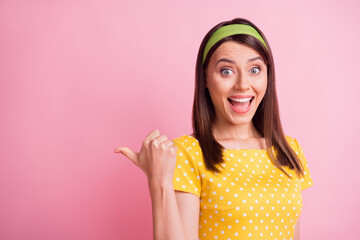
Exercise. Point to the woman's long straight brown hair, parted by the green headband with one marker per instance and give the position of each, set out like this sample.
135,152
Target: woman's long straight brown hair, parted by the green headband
266,119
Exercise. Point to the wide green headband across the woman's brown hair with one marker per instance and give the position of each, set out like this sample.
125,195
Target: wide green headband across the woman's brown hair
230,30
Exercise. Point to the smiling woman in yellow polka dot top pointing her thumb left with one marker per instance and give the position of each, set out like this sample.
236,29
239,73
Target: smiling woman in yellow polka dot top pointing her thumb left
237,176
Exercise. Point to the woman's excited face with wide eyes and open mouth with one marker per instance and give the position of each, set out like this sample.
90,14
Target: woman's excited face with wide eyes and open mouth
236,78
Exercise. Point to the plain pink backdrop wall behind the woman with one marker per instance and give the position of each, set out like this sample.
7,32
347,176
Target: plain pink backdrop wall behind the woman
79,78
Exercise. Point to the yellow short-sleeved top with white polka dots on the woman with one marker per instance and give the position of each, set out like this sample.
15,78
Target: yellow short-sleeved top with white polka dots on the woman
250,199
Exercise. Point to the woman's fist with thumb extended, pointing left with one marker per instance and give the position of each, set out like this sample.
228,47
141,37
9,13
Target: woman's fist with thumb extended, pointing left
157,158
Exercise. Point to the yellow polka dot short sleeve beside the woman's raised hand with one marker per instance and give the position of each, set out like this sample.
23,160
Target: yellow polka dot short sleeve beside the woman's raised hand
186,174
